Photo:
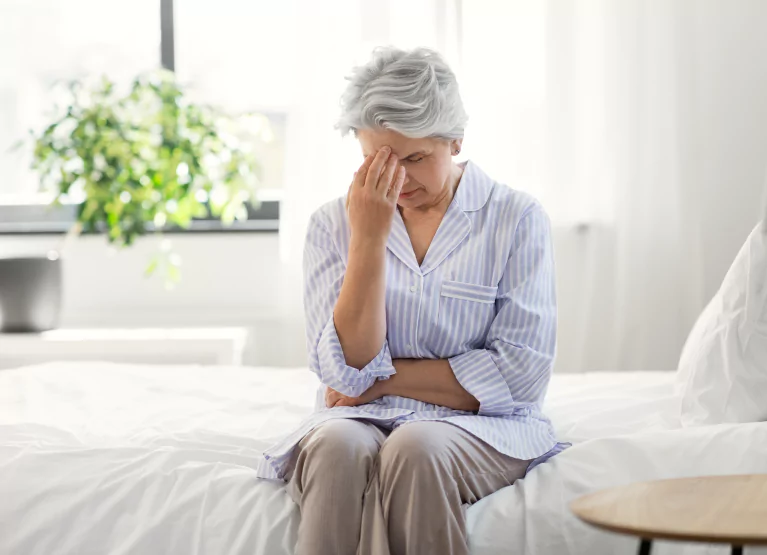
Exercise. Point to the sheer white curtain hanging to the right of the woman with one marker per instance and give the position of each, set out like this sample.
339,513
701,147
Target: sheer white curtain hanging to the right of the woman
640,124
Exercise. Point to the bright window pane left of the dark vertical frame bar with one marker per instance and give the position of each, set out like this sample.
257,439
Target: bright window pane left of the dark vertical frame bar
46,41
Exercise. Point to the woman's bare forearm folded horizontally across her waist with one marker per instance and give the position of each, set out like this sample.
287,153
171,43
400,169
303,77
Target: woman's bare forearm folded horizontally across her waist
430,381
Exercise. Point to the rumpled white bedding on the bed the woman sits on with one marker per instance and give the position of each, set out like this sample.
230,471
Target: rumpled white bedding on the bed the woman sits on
101,458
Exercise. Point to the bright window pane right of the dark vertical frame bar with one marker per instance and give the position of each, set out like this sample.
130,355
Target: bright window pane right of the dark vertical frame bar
239,55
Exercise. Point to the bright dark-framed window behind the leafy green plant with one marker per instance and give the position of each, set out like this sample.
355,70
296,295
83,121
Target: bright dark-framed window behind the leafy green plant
48,41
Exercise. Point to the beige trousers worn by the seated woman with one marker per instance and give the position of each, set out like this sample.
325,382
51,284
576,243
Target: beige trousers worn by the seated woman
364,490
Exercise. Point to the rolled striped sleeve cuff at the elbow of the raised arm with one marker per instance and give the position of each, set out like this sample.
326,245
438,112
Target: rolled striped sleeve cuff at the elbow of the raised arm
335,373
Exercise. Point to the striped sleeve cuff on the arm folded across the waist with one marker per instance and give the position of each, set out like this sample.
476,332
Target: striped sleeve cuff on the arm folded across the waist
478,374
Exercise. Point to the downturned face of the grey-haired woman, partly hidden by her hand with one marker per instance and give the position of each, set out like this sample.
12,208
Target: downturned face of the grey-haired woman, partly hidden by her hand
428,163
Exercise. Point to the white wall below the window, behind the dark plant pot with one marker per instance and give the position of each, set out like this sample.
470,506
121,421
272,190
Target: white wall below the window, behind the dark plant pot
227,279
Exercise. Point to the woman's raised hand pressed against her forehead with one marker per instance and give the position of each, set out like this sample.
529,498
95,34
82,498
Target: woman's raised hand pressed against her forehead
373,196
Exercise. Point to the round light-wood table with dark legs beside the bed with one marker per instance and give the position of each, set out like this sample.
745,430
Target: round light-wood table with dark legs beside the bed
711,509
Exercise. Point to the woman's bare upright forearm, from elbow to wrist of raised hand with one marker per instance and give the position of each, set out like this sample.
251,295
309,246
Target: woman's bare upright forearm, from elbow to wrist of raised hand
360,312
